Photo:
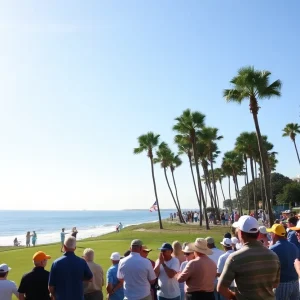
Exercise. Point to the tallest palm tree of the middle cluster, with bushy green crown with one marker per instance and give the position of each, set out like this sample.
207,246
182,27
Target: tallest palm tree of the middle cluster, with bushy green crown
188,124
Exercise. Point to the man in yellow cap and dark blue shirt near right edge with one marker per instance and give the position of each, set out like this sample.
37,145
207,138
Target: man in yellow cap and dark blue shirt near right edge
287,252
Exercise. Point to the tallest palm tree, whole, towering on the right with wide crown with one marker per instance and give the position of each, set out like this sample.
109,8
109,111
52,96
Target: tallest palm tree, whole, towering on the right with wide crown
254,84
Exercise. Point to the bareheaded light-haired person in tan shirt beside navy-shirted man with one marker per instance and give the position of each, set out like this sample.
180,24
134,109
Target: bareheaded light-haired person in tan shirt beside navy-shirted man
93,290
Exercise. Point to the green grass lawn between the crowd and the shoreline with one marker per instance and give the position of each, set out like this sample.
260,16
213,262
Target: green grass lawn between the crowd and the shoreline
20,259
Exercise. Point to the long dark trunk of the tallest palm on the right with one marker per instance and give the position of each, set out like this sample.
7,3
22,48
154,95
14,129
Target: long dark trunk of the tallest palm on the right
263,158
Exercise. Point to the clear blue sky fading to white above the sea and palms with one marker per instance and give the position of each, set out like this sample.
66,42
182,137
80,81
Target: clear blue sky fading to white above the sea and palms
81,80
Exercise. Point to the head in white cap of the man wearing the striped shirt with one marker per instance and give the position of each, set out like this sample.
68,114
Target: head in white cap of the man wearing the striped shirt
247,227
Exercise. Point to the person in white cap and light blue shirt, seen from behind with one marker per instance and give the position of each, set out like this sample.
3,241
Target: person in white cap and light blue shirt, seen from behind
114,287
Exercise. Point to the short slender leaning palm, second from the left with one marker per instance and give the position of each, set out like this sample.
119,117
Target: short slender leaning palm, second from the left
164,157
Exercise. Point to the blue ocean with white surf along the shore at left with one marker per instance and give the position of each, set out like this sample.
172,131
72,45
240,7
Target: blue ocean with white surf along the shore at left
48,224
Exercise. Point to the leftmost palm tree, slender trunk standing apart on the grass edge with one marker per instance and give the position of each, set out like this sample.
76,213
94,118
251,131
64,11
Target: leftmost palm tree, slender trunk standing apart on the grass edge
147,142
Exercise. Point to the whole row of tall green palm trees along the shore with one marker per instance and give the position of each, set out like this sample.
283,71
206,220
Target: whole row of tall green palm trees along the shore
253,153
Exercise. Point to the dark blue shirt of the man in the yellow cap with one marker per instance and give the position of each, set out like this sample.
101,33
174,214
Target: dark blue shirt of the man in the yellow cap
287,253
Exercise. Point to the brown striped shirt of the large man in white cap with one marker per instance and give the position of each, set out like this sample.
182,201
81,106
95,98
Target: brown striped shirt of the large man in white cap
255,269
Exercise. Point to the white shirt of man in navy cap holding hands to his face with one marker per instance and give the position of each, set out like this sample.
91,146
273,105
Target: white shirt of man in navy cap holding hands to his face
169,287
